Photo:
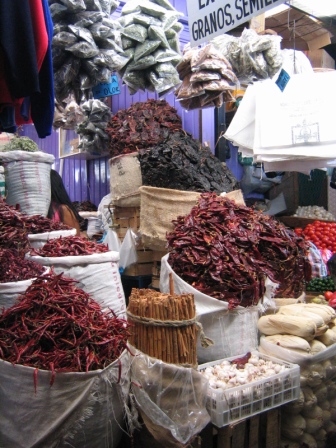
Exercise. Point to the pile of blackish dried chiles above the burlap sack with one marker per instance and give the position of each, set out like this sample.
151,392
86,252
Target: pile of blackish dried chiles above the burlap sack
181,163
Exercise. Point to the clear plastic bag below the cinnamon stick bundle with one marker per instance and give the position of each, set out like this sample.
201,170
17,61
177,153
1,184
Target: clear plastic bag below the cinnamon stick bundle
172,397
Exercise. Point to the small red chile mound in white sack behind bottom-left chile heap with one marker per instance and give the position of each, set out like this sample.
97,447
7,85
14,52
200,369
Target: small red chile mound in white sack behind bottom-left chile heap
69,245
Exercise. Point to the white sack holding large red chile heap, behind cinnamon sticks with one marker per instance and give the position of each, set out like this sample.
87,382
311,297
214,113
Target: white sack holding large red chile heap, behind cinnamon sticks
233,331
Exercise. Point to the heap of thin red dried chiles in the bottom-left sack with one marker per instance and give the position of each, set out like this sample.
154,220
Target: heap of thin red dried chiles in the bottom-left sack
56,326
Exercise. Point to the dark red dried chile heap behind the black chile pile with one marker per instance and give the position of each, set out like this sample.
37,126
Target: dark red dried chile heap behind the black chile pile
142,125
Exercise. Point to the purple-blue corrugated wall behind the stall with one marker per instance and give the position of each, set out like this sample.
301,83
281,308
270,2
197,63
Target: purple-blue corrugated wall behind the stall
89,179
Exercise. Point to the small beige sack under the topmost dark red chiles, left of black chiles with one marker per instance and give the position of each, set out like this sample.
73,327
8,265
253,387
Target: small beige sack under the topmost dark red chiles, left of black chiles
125,180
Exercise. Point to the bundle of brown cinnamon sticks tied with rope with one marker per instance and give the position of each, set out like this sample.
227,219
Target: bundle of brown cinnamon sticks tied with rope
164,325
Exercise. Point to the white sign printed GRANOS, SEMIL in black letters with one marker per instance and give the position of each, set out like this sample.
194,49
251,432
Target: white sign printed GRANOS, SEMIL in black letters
210,18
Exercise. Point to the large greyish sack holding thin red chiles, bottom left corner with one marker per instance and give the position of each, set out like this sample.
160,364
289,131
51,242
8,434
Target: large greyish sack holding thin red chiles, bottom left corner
80,410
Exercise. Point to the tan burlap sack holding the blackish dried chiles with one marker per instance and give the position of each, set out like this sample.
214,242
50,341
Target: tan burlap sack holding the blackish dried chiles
160,206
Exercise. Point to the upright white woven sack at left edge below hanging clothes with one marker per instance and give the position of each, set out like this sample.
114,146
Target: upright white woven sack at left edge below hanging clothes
27,177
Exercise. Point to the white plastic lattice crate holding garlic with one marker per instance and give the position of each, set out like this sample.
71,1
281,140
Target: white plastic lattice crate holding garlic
240,402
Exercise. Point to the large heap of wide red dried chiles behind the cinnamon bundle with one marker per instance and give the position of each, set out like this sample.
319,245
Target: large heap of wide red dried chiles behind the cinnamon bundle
225,250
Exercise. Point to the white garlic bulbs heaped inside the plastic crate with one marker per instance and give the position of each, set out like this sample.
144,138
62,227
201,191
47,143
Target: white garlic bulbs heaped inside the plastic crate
227,375
